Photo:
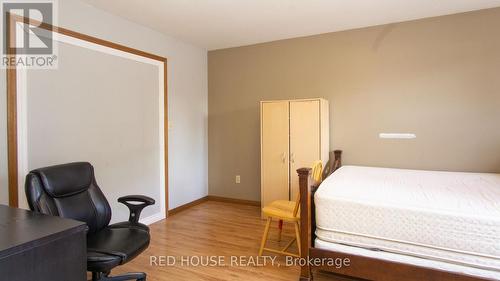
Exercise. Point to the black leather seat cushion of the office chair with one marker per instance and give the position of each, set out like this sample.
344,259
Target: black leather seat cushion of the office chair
113,246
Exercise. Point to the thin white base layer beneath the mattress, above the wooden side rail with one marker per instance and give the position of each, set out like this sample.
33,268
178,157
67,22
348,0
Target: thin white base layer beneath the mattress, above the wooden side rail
438,265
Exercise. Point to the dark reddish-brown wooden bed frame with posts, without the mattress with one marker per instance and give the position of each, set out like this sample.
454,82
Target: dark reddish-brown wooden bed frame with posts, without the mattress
360,266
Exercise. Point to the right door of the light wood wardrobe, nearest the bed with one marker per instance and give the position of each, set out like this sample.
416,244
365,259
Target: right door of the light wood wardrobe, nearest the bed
304,139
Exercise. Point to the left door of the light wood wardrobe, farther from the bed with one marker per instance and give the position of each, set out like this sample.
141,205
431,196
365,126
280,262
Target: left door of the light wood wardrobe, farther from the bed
274,151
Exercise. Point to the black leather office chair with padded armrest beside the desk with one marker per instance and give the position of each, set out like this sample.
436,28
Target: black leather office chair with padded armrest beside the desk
70,191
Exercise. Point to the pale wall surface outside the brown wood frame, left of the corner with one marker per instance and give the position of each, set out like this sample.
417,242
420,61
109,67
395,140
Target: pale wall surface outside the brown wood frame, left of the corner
187,94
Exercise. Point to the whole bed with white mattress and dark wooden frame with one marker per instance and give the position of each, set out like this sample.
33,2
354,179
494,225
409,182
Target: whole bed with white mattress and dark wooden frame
396,224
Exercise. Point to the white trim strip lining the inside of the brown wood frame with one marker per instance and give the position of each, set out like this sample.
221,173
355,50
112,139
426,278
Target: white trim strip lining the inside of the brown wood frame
22,112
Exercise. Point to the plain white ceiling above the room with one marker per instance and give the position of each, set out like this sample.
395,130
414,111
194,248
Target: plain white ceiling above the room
217,24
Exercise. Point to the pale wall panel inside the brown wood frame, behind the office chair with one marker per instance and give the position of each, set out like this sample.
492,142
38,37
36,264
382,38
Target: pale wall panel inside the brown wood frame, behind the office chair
107,115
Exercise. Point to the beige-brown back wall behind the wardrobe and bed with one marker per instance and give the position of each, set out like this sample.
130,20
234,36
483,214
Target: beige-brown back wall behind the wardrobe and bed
438,78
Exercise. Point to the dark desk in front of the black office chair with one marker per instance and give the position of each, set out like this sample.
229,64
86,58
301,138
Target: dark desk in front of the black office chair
36,247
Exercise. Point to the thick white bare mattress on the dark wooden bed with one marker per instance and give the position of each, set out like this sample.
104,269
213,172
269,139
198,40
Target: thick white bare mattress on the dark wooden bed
441,216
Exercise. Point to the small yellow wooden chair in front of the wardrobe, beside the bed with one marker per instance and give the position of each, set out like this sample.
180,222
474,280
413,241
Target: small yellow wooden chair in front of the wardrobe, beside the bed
287,211
